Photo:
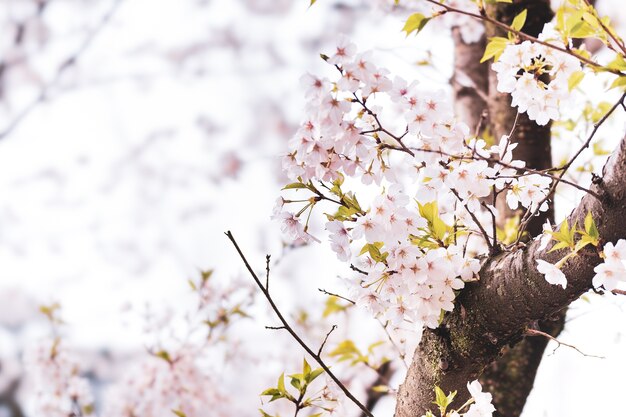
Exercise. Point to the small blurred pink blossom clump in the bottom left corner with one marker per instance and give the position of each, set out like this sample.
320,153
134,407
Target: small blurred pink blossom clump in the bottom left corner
56,388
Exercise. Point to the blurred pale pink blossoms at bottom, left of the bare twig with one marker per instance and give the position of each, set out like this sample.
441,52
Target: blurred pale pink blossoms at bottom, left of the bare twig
179,372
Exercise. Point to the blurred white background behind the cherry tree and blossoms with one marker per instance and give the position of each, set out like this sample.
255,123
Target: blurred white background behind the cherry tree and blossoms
133,133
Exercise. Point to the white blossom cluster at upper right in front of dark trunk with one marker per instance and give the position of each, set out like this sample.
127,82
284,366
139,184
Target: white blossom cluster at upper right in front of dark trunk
537,77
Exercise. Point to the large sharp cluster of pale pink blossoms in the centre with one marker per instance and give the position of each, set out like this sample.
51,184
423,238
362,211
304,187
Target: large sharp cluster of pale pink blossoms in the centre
410,247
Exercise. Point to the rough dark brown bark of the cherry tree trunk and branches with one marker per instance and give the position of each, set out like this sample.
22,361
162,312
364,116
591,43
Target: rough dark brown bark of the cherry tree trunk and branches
491,316
